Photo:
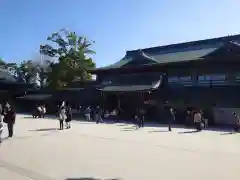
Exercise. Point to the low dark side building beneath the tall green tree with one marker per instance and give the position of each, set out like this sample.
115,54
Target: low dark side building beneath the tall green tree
77,94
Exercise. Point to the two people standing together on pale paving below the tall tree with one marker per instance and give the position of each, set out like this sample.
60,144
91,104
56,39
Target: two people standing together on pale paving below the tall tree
65,115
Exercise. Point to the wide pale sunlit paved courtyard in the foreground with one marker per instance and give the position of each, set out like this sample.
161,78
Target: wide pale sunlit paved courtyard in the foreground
116,151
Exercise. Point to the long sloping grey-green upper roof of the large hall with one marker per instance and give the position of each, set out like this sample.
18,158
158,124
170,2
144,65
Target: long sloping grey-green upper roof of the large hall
188,51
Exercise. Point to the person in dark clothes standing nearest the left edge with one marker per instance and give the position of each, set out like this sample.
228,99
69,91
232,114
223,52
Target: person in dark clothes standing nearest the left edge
9,118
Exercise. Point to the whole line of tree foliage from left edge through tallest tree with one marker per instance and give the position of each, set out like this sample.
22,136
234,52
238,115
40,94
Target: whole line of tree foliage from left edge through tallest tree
67,60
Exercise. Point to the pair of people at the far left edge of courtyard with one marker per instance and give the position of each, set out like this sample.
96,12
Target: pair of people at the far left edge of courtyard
7,116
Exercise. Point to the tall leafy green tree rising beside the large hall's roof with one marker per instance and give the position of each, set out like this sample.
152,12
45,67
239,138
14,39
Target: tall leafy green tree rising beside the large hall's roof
72,53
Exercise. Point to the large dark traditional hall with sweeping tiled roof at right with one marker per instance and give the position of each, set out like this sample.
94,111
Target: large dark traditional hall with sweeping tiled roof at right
203,74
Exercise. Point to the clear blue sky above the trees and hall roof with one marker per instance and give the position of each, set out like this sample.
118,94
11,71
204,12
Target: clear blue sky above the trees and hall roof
115,25
